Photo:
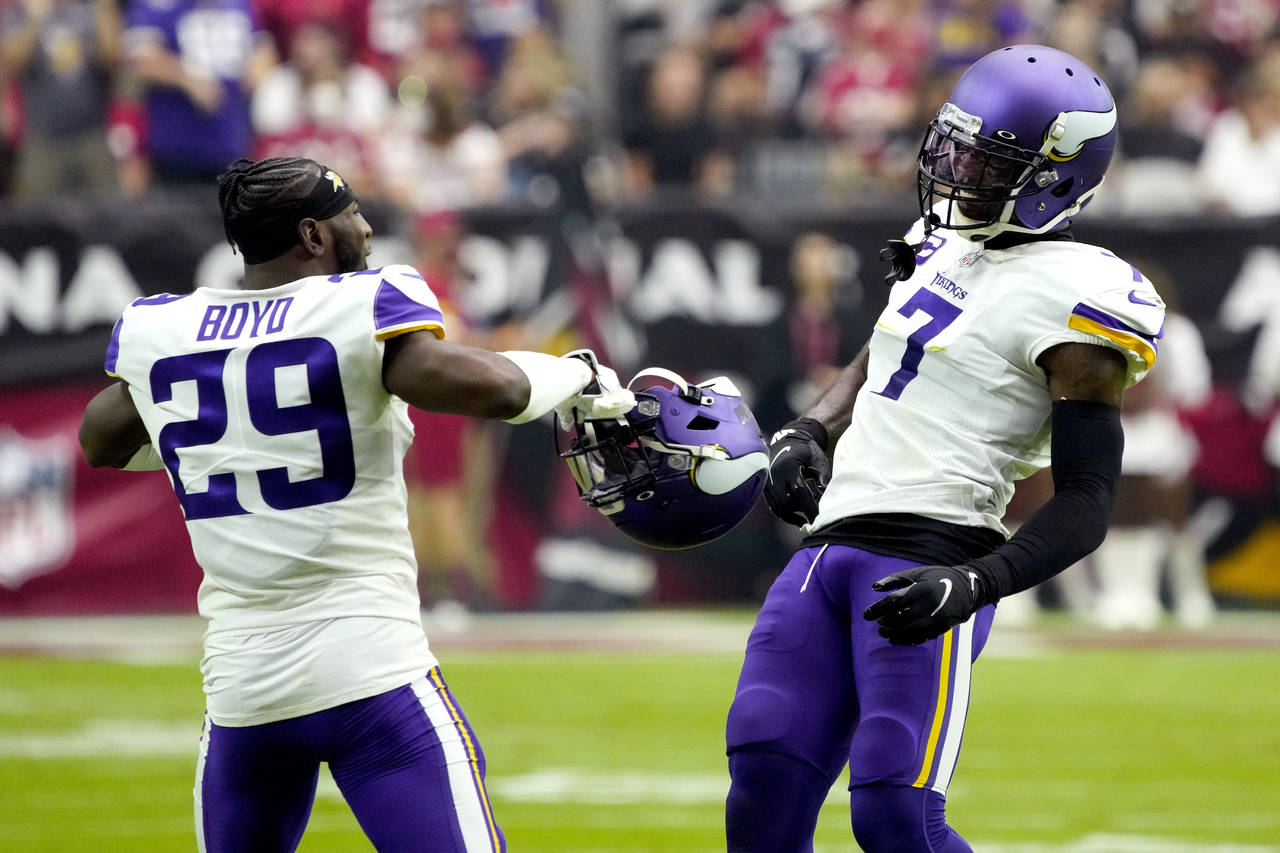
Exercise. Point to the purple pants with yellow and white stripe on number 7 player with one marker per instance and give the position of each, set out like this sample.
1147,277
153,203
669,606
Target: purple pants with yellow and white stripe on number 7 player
820,688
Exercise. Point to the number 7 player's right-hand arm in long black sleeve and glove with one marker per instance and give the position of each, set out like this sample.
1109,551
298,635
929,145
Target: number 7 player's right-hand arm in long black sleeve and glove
1087,387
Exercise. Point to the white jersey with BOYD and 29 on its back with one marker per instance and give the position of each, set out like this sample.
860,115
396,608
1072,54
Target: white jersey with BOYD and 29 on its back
285,450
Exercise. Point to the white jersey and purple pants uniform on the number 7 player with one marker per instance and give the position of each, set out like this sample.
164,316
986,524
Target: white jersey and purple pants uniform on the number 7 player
954,412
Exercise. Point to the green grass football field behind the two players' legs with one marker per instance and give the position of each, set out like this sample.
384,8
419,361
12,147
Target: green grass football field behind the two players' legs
610,741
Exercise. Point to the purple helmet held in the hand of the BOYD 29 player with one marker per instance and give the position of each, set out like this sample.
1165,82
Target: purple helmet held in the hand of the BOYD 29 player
683,468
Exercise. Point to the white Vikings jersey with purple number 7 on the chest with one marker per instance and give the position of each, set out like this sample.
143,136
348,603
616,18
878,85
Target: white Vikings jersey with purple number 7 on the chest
956,408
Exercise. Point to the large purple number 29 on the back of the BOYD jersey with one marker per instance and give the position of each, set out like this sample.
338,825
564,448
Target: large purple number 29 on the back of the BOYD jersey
326,414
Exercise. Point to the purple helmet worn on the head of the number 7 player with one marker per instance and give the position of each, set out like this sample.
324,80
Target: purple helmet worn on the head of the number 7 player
1021,147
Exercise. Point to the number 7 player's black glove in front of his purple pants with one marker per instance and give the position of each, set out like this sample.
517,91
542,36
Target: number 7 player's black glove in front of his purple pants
930,601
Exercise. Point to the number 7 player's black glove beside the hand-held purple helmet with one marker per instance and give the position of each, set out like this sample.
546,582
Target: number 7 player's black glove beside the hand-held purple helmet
799,471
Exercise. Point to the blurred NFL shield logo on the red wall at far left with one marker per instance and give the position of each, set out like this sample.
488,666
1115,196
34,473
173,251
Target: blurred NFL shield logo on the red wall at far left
36,523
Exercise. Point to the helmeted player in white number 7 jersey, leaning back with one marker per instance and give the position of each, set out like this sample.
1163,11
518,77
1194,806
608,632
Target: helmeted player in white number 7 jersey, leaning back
1005,348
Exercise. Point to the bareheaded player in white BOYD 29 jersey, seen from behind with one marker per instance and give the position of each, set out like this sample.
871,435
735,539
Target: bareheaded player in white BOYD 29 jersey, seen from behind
280,413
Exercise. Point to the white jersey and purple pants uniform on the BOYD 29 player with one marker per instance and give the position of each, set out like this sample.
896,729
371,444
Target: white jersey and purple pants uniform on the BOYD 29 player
285,450
